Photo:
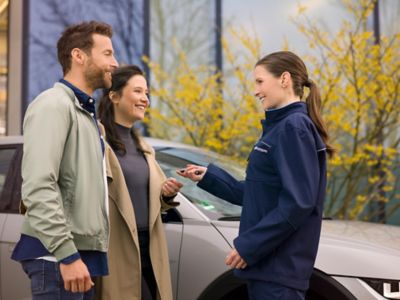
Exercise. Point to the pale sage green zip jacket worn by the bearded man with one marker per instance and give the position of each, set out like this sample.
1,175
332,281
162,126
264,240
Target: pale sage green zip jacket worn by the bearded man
63,184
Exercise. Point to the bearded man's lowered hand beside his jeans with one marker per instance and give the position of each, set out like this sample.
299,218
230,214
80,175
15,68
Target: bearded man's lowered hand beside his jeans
76,277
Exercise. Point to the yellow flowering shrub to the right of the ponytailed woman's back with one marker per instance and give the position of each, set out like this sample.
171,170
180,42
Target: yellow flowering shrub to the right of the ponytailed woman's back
360,85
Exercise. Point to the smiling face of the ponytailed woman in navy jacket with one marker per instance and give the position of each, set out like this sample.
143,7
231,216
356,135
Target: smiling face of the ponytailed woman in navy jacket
268,88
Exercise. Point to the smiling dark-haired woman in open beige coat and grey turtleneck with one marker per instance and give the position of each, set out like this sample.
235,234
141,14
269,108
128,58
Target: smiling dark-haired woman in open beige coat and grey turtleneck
138,191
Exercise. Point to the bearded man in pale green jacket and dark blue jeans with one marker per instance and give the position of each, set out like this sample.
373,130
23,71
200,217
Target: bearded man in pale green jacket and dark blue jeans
64,238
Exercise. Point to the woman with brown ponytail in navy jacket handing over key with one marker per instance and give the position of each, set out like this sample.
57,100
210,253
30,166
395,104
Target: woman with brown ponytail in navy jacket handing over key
283,193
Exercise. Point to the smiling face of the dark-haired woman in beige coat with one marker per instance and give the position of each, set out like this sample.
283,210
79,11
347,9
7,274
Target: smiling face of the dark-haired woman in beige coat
131,105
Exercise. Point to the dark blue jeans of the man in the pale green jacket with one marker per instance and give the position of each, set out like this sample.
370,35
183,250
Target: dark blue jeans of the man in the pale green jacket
47,283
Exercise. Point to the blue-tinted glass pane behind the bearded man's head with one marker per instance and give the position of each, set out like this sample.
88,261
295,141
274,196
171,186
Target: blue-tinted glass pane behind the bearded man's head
49,18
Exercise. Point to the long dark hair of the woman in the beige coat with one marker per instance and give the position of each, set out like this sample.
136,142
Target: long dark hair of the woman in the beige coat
120,77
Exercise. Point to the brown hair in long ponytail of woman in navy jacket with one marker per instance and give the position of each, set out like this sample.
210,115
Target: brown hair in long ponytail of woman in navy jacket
285,61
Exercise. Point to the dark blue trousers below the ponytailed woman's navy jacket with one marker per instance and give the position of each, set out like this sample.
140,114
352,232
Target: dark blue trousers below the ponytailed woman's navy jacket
264,290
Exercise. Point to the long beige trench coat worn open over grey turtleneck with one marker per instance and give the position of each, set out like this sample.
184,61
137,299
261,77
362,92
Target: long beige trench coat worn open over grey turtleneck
124,279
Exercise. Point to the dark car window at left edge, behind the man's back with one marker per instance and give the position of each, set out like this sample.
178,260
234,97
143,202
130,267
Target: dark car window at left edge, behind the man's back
10,178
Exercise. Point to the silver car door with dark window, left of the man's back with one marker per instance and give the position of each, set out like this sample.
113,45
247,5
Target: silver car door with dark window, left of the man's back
14,284
